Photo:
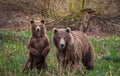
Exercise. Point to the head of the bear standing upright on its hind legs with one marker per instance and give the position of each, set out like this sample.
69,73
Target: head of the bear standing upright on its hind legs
38,28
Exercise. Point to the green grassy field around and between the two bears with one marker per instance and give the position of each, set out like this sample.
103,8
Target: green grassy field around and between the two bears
13,55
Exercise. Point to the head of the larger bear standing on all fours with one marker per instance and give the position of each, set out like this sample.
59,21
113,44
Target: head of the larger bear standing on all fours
61,37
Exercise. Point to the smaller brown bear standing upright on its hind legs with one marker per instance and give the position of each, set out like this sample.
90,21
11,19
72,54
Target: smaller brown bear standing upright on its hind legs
38,46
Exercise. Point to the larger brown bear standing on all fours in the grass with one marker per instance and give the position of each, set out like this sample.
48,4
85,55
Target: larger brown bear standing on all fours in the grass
73,48
